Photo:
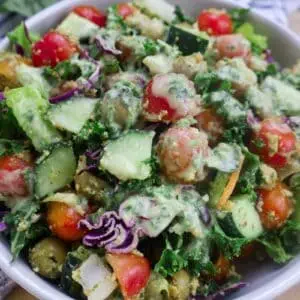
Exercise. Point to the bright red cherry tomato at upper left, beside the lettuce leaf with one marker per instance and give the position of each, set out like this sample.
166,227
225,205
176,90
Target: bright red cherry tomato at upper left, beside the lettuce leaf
52,49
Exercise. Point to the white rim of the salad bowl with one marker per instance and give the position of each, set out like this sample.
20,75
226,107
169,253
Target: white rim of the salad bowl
17,271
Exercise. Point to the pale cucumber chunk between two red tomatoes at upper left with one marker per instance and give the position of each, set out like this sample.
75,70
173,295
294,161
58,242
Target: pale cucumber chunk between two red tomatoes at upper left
78,27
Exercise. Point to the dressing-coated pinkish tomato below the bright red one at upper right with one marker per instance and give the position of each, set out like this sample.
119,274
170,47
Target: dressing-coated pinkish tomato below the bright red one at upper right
233,45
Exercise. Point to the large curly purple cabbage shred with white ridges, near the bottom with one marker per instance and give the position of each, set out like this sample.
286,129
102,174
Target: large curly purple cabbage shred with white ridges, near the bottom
110,232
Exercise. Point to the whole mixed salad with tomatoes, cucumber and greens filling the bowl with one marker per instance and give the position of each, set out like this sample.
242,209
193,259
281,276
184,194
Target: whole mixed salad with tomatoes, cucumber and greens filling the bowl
148,155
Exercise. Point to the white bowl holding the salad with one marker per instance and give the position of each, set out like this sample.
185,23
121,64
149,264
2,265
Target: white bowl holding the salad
266,279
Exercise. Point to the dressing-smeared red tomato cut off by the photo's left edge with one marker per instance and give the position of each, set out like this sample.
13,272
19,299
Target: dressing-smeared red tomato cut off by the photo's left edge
12,181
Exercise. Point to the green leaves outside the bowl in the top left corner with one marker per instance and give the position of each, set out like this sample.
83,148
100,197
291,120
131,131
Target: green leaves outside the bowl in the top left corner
25,7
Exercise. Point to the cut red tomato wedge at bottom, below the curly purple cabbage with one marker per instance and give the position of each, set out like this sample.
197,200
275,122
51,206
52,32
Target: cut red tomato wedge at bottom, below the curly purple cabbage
132,271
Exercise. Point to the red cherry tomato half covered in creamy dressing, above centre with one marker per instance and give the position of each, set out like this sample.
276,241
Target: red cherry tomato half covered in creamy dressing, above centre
170,97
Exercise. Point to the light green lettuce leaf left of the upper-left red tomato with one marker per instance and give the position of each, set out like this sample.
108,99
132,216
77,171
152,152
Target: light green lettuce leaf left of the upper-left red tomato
19,37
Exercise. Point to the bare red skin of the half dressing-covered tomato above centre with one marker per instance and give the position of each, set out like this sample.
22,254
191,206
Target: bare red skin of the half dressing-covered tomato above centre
157,105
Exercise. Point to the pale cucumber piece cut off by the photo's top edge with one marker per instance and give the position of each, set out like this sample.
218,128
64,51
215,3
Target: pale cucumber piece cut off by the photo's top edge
157,8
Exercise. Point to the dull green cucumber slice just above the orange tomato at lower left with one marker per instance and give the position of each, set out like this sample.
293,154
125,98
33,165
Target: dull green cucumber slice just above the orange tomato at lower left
55,171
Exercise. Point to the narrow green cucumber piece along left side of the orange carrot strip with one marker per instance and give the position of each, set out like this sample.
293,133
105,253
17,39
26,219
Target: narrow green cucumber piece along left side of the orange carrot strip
217,188
